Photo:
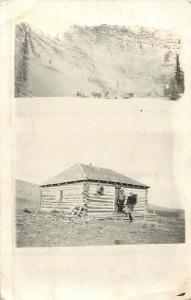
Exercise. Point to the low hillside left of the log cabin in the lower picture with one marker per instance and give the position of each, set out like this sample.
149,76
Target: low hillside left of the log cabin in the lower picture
27,195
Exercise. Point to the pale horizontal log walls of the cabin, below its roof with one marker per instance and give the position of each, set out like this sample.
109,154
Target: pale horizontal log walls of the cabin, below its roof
86,192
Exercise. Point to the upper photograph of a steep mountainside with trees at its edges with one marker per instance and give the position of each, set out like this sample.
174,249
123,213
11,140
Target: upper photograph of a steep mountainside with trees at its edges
95,61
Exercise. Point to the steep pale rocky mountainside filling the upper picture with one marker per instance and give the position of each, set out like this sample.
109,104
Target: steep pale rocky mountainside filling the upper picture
105,58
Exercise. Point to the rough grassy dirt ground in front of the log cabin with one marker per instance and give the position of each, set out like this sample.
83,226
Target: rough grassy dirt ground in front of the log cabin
39,229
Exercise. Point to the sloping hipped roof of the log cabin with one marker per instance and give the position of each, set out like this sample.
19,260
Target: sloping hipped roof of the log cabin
80,172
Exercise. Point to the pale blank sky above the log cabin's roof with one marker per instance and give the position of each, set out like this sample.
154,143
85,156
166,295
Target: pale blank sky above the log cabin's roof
50,143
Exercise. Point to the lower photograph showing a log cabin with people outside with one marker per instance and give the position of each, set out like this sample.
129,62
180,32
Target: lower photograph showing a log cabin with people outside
95,189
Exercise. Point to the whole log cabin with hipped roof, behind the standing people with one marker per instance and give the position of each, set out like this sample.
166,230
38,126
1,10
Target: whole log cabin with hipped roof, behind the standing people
97,188
